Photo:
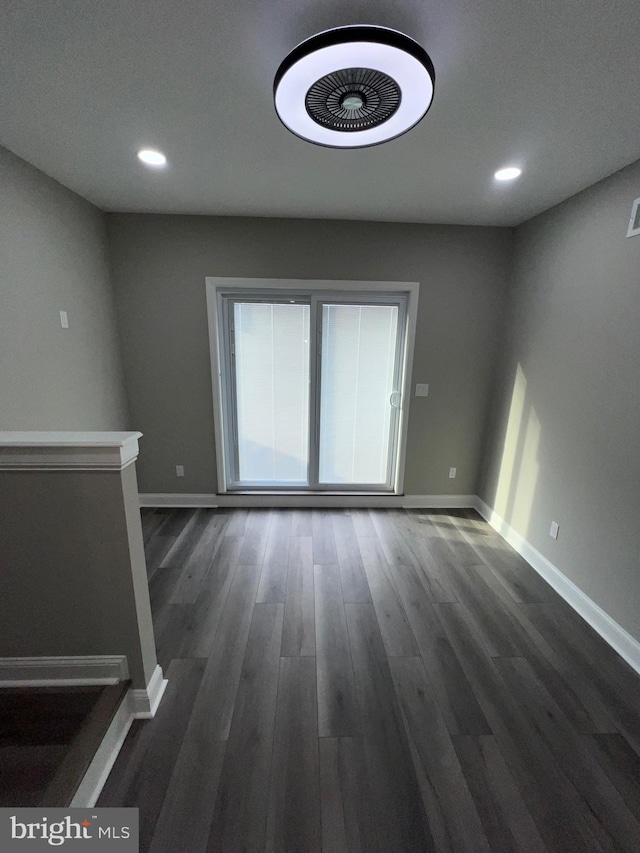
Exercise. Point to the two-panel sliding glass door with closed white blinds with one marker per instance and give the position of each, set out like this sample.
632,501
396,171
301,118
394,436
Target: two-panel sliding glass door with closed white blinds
311,389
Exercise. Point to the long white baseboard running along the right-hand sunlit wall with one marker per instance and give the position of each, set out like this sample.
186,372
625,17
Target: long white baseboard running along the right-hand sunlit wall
614,634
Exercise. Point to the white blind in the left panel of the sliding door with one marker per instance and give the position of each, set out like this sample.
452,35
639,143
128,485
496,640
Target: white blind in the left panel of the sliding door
272,390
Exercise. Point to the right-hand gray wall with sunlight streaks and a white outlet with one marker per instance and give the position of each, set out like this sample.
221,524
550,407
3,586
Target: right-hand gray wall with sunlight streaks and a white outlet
563,442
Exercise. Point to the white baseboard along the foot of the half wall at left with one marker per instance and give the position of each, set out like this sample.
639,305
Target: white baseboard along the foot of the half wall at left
63,671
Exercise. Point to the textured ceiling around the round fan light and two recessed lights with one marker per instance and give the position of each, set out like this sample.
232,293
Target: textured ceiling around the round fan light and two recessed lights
551,85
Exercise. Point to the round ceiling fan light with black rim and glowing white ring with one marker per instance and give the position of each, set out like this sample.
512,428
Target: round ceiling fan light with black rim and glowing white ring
354,86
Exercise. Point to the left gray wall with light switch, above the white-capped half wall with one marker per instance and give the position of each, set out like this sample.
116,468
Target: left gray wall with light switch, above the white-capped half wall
54,257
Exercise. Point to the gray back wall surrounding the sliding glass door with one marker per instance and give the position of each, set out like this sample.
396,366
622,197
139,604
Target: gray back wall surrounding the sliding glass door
159,265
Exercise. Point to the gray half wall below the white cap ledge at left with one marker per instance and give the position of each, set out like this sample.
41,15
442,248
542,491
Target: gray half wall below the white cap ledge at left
74,583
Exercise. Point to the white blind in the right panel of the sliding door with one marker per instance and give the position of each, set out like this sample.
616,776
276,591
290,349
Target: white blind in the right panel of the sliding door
357,374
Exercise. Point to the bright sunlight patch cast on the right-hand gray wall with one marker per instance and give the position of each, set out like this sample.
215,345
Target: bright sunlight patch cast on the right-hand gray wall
519,467
